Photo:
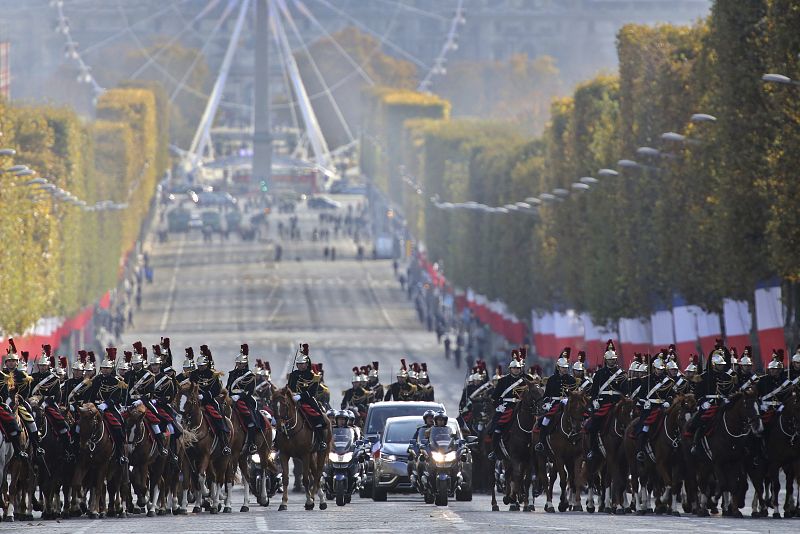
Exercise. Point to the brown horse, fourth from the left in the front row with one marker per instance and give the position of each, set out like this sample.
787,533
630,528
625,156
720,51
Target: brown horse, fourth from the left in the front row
146,460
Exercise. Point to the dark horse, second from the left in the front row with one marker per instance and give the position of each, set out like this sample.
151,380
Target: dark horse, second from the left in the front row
52,468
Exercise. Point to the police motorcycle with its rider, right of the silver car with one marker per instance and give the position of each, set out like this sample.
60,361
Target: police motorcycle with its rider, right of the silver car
442,456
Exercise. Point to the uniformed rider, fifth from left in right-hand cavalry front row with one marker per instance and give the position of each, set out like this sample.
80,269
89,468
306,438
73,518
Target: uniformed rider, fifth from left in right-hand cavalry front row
718,382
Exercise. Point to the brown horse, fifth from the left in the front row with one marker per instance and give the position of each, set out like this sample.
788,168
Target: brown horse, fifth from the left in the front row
211,465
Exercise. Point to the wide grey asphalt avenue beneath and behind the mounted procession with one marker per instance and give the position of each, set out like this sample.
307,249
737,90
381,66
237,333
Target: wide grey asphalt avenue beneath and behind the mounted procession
224,294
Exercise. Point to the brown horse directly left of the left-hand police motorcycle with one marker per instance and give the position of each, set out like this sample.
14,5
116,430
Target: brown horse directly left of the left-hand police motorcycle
295,439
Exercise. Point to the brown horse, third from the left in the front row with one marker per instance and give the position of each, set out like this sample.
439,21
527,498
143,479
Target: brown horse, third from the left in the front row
97,468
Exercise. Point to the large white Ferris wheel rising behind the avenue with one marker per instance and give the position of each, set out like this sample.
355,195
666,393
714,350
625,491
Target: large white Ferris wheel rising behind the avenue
422,34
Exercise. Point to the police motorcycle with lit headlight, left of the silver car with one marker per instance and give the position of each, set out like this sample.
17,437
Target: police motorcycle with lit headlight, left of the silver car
344,471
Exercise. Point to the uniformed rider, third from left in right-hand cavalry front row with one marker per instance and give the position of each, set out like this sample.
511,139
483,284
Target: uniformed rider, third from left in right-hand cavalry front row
610,384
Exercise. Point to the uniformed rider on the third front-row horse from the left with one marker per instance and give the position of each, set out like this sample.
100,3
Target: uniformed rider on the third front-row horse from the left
106,392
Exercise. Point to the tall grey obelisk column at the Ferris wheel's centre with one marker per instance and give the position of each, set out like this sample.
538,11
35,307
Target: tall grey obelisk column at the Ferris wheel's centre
262,134
